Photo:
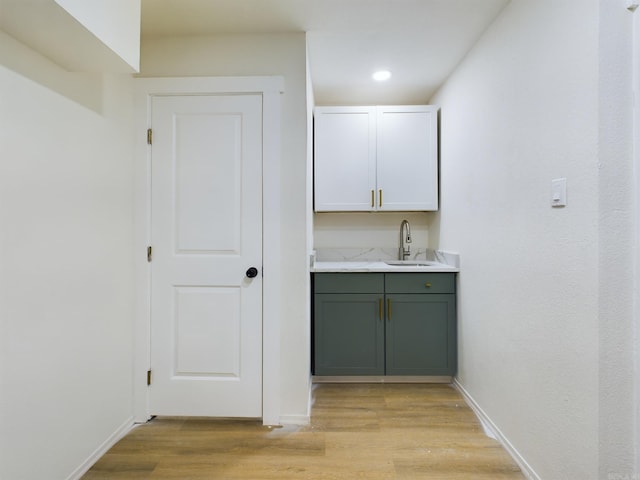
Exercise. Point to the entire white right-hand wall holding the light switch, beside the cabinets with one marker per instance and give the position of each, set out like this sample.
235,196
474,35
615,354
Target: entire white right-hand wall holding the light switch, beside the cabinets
535,306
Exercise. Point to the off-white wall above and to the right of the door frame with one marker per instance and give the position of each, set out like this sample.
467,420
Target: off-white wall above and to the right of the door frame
285,55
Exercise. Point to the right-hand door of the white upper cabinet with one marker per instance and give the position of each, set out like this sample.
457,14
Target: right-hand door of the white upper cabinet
407,158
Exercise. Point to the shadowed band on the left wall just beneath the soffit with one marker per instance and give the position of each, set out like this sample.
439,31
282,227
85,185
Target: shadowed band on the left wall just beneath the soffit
85,89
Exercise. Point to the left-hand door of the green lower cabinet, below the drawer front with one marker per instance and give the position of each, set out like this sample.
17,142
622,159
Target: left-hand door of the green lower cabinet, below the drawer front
348,334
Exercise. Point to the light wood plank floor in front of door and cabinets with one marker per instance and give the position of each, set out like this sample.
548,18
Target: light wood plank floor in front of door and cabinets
357,431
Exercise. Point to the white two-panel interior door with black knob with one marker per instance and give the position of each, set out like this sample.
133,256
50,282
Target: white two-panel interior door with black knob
206,231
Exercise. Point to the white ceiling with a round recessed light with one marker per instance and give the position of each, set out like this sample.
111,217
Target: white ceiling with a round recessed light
419,41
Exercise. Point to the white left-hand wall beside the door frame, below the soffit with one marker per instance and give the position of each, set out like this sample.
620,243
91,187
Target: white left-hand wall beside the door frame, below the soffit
66,286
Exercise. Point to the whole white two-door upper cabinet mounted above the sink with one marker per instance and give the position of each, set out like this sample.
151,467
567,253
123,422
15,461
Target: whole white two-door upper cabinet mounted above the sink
376,158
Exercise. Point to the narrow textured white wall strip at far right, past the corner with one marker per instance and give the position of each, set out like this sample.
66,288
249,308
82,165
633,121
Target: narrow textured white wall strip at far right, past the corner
616,244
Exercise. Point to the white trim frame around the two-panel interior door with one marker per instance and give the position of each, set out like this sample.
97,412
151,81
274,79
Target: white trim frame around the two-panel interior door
270,88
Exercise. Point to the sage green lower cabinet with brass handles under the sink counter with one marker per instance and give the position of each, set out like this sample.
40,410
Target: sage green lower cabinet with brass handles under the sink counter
384,324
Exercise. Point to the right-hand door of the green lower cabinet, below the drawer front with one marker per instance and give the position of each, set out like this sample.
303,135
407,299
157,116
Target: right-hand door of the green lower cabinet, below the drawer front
421,334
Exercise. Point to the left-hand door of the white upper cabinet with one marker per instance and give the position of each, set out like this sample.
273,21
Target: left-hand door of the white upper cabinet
345,158
